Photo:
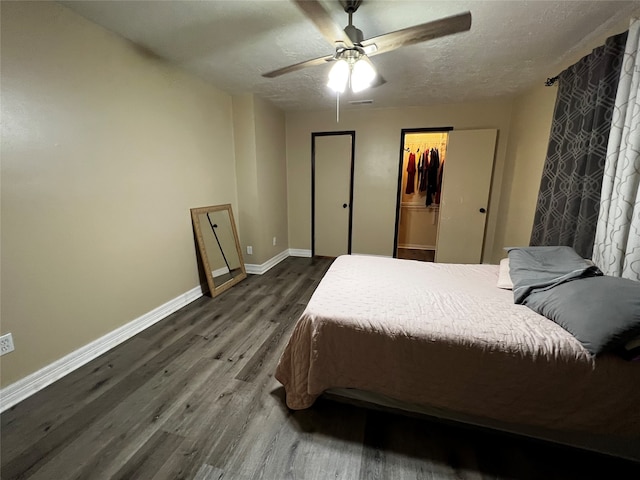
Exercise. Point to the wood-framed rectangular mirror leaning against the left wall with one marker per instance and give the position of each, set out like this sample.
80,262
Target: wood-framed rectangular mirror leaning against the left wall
219,247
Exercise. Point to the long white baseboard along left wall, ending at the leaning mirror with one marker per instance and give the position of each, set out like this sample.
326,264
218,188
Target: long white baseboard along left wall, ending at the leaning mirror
24,388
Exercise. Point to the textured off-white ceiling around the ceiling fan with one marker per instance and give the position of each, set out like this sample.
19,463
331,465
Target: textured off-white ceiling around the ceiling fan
512,45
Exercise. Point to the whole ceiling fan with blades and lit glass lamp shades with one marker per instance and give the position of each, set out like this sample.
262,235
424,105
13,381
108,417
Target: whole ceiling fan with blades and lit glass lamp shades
352,51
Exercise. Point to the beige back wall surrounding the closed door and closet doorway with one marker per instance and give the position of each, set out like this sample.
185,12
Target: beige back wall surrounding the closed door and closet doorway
376,166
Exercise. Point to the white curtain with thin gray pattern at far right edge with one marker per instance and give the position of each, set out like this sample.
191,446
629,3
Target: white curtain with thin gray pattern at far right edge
617,245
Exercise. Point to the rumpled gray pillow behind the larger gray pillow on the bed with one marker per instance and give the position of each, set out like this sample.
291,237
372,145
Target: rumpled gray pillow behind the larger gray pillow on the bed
535,269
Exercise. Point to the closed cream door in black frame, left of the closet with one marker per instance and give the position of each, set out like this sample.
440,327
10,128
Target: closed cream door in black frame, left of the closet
332,160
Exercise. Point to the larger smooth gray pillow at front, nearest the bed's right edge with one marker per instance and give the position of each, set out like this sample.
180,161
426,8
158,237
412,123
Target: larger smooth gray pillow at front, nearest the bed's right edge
603,312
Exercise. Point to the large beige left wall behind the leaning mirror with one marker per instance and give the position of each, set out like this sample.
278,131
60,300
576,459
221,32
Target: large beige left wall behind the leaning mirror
104,151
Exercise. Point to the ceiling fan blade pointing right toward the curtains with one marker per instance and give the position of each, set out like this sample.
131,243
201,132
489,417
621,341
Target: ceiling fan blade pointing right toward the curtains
419,33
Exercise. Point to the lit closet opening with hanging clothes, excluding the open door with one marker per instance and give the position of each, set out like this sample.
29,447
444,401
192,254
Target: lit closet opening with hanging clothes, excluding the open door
420,180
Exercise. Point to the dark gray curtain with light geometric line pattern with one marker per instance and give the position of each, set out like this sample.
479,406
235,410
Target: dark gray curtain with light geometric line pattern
569,197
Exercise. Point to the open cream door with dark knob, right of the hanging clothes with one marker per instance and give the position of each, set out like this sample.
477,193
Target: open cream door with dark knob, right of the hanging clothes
465,195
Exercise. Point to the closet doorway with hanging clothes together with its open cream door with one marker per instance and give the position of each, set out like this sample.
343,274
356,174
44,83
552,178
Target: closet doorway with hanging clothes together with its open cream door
450,229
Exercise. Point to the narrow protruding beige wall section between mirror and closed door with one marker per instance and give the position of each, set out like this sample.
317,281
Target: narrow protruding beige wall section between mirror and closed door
259,135
